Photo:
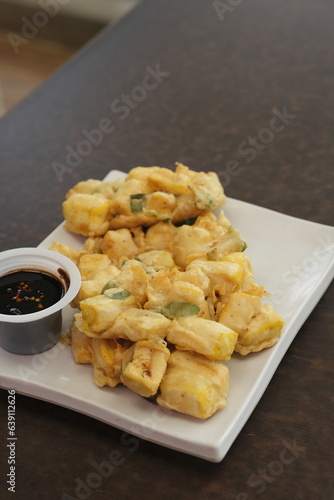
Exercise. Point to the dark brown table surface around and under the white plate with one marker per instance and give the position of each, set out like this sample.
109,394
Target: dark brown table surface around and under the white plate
225,69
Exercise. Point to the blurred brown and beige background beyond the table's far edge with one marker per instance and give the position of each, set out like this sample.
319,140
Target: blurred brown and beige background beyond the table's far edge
37,36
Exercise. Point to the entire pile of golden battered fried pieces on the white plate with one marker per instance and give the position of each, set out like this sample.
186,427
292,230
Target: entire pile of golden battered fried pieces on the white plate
167,291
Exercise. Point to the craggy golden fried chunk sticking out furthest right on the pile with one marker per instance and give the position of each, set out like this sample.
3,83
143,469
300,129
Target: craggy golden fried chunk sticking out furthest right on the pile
258,325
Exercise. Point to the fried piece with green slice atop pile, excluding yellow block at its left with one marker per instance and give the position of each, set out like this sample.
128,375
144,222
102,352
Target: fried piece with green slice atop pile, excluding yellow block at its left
154,193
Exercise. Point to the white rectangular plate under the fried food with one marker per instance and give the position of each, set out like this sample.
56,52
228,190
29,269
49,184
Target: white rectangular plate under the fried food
292,258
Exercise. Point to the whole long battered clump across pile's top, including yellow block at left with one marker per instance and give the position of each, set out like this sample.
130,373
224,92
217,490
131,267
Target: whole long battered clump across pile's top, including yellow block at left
147,196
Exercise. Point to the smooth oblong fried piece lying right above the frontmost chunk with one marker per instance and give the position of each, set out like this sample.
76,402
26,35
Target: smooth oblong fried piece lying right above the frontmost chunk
214,340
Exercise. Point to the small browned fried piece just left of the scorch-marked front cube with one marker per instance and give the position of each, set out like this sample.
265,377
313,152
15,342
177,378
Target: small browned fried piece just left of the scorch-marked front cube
107,360
